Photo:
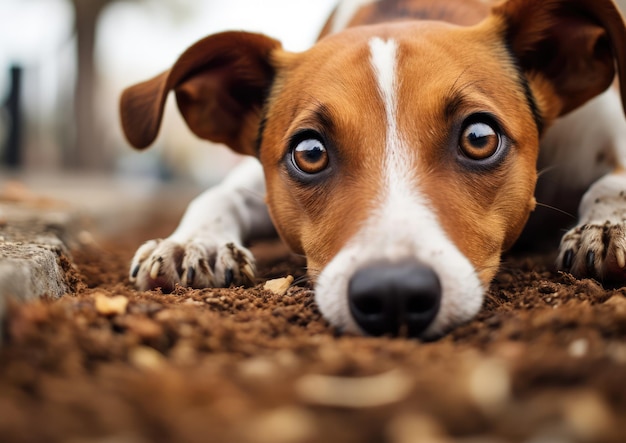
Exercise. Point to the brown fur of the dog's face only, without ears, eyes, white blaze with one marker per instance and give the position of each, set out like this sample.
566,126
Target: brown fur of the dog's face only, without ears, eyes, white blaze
479,198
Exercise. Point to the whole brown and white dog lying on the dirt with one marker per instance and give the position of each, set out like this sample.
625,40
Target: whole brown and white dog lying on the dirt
400,153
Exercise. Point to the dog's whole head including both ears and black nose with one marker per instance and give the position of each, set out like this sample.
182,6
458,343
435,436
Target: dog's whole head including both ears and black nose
400,158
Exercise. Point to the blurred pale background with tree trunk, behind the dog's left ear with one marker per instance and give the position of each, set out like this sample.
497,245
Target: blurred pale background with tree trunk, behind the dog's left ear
63,64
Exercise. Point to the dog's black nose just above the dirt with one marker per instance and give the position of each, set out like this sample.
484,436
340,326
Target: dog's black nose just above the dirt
394,298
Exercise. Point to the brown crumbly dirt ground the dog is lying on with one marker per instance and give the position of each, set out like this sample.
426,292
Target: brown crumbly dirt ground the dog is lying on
545,361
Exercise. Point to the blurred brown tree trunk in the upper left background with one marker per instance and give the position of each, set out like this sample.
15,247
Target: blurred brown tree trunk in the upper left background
87,151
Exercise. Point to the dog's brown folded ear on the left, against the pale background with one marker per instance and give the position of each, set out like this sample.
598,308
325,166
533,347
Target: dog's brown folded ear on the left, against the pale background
220,82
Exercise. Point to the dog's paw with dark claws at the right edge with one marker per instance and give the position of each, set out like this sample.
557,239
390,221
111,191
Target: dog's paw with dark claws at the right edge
596,249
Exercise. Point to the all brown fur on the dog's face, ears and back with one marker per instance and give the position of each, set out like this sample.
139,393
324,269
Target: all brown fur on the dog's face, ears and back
503,65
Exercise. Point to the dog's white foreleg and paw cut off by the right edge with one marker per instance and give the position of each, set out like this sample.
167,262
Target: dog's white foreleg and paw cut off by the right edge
596,247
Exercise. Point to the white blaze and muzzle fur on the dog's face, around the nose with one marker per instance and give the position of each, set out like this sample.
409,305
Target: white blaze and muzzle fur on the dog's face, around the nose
403,226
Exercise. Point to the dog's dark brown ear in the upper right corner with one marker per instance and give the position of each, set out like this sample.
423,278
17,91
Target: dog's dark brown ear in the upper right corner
573,44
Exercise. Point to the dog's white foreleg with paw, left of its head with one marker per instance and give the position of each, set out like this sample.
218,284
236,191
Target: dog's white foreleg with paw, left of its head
206,249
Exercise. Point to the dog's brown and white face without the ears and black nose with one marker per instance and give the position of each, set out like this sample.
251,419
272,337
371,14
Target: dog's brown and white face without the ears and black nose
404,146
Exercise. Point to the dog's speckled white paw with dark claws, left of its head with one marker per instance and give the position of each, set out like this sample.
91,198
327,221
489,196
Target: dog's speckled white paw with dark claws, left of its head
198,263
